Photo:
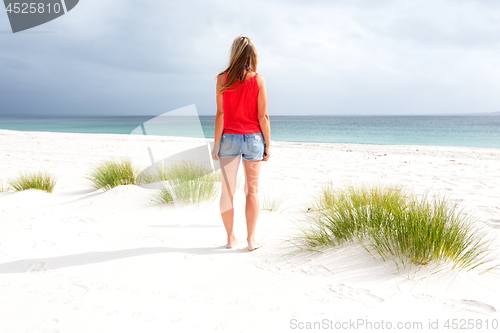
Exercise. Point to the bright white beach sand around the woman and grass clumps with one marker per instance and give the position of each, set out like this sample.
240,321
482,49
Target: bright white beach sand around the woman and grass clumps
81,260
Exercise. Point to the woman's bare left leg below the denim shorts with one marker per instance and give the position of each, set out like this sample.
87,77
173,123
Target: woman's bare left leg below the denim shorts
229,172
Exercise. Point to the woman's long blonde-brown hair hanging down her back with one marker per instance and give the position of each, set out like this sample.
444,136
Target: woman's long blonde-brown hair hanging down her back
243,53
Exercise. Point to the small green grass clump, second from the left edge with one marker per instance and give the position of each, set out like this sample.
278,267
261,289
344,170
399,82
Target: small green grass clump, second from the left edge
111,173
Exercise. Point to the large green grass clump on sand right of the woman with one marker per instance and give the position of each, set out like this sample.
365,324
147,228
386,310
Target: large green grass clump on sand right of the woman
396,225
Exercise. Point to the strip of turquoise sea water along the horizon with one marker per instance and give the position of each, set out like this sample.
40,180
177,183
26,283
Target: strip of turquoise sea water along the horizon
467,131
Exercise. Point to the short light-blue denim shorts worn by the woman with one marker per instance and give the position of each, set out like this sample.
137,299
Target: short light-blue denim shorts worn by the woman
250,146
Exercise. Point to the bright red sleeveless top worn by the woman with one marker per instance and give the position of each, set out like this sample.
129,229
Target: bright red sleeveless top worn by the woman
240,107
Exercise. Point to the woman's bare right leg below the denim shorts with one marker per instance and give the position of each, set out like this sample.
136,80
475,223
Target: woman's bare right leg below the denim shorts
252,173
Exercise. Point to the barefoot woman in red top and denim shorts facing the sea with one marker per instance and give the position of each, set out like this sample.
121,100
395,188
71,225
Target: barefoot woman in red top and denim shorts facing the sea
242,128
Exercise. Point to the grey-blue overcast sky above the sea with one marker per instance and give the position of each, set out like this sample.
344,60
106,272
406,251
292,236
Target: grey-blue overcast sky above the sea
122,57
